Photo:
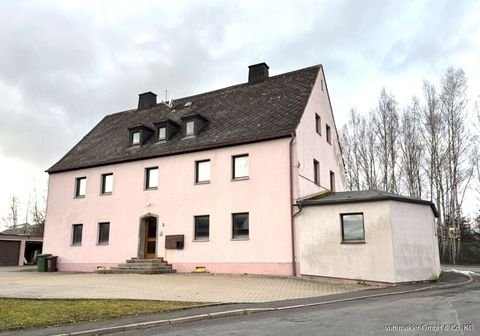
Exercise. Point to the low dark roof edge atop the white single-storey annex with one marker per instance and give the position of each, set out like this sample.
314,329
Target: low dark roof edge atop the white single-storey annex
361,196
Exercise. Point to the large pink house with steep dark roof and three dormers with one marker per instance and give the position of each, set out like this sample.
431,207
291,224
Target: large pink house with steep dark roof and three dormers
209,180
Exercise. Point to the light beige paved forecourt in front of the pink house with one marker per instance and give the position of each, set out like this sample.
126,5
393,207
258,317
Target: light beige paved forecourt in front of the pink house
174,287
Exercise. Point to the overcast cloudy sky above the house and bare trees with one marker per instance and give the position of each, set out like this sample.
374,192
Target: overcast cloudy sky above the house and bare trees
66,64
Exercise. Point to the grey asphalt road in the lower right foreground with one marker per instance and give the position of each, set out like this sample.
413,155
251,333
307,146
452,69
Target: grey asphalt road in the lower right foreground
436,312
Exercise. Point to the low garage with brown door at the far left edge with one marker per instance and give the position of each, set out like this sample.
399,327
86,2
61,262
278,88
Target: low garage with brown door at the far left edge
18,250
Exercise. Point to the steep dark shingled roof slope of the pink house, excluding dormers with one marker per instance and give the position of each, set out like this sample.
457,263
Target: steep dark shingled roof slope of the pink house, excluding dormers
237,114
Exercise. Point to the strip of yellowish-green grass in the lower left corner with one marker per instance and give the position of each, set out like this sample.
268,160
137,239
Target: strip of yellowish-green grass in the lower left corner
34,313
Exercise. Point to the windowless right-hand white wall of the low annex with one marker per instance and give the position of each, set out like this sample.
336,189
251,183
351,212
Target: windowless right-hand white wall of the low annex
415,245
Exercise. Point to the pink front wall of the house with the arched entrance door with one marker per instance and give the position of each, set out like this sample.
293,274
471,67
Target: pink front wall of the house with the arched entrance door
265,195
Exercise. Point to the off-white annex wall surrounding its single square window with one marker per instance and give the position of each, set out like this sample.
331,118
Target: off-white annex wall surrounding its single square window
322,252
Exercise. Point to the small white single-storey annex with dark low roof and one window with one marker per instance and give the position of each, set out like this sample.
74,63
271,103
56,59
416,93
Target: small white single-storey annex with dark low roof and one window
368,235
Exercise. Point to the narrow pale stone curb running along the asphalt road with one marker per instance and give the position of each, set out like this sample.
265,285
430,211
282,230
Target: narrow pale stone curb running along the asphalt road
247,311
